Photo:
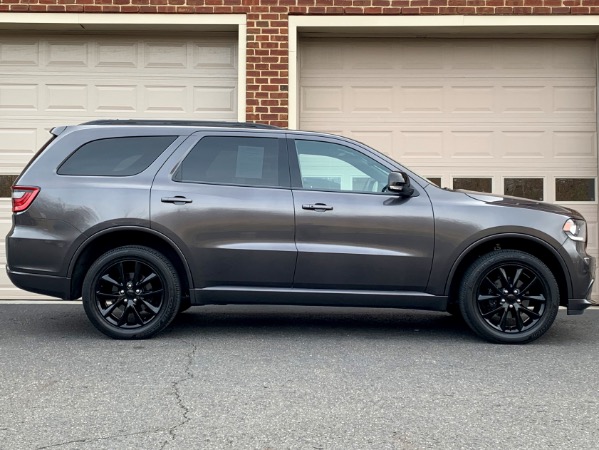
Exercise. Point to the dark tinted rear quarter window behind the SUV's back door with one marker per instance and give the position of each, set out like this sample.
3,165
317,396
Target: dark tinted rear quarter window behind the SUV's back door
116,156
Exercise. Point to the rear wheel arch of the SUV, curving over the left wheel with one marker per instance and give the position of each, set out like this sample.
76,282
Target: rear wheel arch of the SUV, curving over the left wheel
110,238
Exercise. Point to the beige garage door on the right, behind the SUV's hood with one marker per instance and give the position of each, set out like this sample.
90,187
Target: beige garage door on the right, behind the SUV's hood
507,116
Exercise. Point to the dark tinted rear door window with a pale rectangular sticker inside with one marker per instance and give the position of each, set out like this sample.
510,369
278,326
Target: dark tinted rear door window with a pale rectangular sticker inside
247,161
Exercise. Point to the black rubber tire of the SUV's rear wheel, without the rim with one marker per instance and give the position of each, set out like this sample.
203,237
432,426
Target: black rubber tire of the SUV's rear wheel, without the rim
158,263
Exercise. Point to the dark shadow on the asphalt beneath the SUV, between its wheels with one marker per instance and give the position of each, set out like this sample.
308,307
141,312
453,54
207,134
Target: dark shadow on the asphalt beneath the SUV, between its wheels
299,321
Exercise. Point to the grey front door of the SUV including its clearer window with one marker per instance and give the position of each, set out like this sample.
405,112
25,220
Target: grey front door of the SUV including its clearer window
350,234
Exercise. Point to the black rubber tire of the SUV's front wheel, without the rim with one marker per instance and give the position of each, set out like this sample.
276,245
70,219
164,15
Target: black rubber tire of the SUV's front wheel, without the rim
475,275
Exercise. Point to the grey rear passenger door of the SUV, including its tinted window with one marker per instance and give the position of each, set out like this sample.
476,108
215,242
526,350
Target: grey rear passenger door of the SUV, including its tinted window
225,199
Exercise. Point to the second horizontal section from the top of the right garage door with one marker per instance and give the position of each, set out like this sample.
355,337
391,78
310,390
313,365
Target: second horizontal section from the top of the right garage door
506,100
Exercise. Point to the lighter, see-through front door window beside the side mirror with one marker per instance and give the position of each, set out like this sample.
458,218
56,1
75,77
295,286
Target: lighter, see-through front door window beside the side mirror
333,167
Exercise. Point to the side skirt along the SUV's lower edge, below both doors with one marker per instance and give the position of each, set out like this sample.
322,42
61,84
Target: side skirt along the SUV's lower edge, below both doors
220,295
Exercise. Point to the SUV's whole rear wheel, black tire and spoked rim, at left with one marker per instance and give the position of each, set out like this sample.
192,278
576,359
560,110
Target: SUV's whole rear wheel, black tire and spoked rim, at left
131,292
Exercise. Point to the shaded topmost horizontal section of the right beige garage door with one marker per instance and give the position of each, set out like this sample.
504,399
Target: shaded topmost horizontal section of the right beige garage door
459,58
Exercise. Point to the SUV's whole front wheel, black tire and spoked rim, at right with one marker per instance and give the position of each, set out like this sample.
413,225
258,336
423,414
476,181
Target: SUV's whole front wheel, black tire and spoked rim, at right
509,297
